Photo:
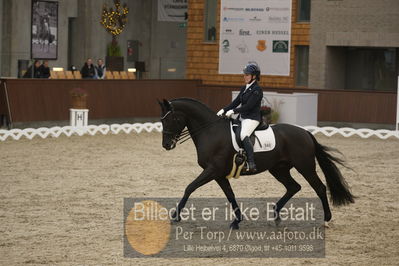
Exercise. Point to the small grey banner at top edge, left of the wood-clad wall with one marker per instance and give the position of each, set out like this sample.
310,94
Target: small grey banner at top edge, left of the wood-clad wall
172,10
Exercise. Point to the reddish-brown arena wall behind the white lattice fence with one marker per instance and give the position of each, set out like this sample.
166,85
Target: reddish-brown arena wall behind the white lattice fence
49,100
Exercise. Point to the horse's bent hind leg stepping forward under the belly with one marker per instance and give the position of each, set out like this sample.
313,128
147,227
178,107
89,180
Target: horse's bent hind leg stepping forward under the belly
282,174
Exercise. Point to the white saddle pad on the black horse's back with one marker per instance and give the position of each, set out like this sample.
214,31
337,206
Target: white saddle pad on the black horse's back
267,141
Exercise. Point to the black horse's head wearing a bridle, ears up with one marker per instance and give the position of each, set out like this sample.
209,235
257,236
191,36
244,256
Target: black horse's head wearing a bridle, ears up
173,124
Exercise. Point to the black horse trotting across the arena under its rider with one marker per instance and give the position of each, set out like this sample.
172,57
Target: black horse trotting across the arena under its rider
295,147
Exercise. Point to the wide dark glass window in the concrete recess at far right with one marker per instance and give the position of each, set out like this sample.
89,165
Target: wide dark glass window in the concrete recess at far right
371,69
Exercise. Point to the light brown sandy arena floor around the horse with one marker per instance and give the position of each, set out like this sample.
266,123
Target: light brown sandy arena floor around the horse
62,199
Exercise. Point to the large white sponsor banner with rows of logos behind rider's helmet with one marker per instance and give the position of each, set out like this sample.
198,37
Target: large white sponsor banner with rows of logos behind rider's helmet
255,31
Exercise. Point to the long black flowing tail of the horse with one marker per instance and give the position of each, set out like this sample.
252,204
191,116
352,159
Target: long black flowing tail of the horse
339,190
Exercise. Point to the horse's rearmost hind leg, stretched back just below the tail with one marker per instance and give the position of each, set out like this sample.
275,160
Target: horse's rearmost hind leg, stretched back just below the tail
311,176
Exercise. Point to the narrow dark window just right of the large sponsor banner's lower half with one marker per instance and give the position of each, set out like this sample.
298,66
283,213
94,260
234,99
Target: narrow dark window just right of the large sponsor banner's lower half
301,65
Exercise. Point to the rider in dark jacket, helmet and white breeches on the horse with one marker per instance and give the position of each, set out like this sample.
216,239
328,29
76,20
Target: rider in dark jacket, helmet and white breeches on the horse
250,98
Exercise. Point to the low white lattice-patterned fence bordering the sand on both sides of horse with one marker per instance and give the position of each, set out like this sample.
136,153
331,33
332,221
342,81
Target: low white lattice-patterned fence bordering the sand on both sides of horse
92,130
